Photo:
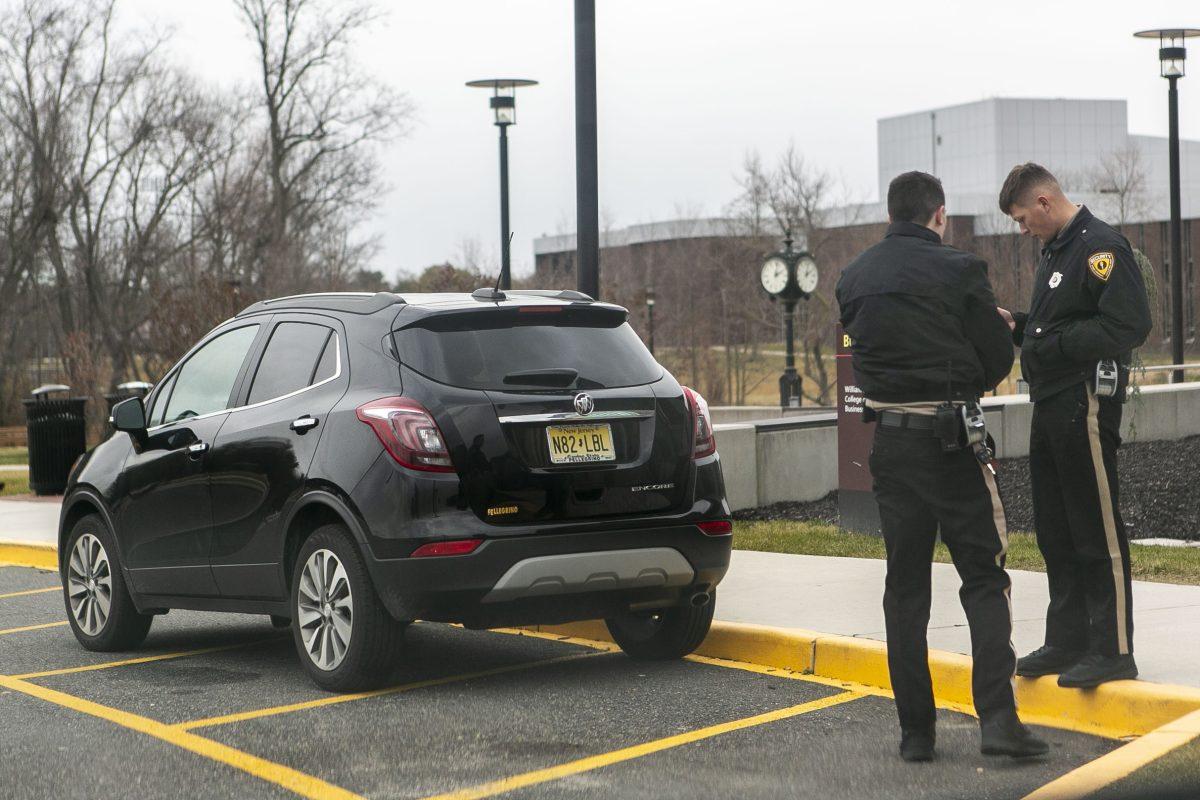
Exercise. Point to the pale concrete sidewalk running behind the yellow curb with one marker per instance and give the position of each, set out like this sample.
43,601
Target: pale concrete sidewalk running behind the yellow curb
844,597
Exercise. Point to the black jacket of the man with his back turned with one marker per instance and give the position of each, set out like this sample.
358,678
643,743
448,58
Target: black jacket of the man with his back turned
922,321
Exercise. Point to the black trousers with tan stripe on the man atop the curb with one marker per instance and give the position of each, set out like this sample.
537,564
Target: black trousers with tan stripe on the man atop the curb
1073,468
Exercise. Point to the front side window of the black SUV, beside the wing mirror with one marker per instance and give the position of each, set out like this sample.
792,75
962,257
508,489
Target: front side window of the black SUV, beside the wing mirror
206,380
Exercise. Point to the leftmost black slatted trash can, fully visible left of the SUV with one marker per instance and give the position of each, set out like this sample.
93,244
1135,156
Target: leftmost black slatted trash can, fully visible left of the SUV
57,430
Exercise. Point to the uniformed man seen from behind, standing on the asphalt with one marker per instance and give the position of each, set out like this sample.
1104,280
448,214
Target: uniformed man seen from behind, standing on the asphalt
926,334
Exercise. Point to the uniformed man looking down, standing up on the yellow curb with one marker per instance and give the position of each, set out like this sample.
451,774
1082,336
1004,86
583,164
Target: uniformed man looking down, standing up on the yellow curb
1088,314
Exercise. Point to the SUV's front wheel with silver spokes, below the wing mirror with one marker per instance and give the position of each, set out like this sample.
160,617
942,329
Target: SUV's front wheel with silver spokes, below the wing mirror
100,610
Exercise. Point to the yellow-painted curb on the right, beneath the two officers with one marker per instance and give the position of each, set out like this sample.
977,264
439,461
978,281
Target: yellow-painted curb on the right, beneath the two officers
1115,711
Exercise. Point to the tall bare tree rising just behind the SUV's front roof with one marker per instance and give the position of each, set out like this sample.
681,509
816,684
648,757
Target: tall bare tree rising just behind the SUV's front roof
323,119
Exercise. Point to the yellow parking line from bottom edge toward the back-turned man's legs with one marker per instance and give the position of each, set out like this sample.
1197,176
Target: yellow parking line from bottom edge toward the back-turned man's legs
512,784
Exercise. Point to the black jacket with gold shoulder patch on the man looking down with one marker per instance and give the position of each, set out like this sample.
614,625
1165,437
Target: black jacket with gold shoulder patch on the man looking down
1089,304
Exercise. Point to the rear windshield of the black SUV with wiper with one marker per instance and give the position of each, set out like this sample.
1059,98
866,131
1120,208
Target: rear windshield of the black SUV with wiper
501,352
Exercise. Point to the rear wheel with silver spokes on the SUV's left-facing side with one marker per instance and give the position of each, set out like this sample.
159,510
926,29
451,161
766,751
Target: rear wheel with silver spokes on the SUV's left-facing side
345,637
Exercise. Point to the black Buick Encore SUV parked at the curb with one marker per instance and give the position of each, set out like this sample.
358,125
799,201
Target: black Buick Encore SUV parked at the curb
349,464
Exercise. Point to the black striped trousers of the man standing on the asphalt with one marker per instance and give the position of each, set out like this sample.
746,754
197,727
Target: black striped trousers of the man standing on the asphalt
921,491
